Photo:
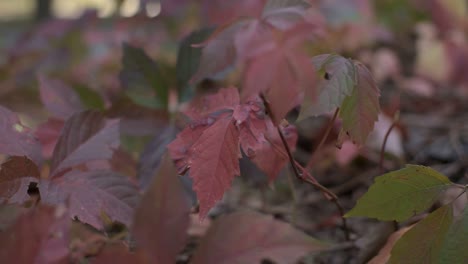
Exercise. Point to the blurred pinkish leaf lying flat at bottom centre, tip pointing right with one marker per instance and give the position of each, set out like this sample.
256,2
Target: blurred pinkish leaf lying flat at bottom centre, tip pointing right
248,237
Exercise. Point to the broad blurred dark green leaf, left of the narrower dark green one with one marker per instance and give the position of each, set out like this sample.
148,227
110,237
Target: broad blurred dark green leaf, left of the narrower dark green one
143,79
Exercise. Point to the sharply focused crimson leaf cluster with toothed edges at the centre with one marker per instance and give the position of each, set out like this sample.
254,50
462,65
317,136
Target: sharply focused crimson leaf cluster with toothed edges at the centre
209,147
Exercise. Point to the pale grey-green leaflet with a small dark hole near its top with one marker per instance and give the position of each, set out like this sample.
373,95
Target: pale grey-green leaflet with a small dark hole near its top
336,81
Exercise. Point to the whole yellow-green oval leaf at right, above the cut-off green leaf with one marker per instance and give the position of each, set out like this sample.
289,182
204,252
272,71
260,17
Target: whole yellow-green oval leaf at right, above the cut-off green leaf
400,194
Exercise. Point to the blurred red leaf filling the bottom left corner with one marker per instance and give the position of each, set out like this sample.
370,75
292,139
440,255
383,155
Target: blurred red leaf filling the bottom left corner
39,236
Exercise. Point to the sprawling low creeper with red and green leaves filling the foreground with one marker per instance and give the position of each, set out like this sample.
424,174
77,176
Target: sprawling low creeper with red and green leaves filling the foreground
232,92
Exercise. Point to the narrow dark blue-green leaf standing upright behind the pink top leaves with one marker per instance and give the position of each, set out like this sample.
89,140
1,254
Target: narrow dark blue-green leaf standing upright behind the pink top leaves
188,59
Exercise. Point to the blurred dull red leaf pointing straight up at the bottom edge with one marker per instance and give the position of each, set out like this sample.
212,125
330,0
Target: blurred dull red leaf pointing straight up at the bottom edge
162,218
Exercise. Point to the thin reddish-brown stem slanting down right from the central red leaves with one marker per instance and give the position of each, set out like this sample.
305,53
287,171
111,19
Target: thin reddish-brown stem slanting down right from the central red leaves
309,179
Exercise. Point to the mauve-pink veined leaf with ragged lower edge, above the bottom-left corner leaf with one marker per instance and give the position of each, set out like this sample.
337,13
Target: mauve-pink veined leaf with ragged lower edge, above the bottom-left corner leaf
91,193
